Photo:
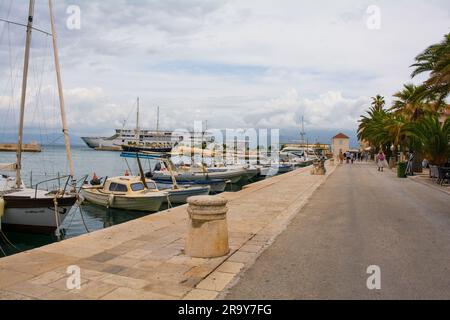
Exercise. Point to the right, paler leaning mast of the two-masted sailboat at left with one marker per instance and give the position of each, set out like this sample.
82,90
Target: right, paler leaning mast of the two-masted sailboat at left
60,92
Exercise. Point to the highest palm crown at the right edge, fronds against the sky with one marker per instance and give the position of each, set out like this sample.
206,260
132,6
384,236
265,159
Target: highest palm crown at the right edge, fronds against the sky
435,60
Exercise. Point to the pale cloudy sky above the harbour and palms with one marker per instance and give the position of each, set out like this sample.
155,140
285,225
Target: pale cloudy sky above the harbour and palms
237,64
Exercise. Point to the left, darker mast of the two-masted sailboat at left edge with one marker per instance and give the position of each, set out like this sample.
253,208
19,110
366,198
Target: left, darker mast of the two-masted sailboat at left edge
24,93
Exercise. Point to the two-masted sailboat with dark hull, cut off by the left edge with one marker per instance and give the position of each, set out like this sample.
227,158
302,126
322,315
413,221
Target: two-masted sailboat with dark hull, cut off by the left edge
32,209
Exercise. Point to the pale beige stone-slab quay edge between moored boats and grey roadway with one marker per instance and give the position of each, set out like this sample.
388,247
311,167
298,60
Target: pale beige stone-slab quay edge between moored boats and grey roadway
144,258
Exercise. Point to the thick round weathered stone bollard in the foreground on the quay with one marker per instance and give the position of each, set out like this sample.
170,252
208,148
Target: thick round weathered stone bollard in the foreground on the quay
208,228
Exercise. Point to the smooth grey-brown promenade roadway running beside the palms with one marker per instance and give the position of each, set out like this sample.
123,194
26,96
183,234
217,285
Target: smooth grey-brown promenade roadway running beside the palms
359,218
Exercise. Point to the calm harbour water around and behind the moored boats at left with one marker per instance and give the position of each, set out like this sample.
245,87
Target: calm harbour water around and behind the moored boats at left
51,162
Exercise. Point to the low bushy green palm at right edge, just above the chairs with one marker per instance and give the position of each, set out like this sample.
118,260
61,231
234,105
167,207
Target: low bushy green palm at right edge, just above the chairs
433,136
